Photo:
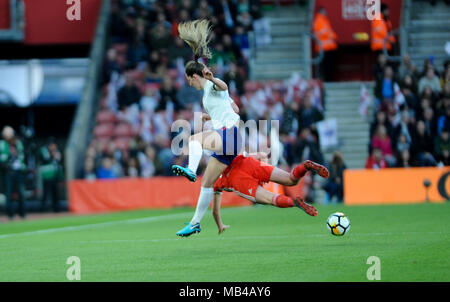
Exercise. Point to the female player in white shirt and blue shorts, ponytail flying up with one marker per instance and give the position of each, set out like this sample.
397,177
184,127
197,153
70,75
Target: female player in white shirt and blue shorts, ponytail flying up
225,140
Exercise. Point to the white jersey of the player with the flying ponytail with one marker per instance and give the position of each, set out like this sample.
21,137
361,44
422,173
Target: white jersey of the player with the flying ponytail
218,106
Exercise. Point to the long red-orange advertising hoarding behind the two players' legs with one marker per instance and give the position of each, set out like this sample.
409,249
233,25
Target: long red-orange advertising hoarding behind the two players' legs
138,193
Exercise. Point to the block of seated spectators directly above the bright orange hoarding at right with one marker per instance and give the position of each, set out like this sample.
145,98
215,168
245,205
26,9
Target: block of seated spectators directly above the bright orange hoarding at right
411,125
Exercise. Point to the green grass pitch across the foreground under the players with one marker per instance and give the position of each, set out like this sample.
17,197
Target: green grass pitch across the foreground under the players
263,244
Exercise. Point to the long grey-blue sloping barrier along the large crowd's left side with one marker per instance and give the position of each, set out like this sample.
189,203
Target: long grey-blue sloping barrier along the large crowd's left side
83,123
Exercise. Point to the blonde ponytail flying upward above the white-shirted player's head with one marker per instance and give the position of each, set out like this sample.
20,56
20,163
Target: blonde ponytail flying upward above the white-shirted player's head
196,35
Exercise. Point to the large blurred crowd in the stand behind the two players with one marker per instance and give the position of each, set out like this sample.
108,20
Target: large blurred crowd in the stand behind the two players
145,90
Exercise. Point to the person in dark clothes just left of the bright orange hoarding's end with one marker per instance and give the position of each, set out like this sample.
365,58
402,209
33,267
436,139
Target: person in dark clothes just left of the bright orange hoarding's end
335,183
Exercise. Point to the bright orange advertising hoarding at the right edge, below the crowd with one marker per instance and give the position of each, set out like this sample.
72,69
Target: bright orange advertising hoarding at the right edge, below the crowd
396,185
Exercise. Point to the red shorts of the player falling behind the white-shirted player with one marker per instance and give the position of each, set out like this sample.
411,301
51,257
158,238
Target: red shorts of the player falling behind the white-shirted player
243,177
